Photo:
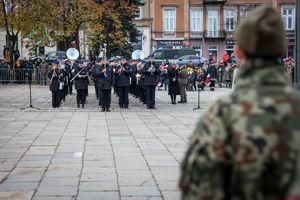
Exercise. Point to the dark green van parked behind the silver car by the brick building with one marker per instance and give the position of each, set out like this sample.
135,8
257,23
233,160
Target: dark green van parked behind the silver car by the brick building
171,54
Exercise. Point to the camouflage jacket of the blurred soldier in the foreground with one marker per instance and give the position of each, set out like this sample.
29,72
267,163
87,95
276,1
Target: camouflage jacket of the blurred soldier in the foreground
245,147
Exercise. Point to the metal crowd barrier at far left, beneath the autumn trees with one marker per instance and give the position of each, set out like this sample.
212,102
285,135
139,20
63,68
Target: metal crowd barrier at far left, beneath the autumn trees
22,75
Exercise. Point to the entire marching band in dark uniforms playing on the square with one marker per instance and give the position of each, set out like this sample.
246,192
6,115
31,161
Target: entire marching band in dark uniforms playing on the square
134,77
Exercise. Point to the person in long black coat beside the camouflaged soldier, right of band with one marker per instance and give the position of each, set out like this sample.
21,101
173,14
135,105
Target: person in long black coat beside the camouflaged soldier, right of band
173,83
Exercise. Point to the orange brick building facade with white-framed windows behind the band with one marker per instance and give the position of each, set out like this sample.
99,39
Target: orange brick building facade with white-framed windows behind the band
208,25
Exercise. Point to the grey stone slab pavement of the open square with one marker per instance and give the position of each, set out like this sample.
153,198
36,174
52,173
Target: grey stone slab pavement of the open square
71,153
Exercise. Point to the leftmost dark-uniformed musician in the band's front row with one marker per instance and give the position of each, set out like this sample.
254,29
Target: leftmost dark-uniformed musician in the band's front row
54,76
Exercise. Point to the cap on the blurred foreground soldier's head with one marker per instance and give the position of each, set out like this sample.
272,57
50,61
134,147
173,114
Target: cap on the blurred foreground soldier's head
262,33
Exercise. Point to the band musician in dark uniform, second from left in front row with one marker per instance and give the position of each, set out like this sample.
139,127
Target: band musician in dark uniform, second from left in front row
81,83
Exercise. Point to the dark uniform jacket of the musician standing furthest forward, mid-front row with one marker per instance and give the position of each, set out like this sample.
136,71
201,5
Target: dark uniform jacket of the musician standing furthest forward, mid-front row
104,80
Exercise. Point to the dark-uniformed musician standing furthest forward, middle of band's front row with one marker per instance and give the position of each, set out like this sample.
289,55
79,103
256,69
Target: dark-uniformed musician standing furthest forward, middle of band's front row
105,81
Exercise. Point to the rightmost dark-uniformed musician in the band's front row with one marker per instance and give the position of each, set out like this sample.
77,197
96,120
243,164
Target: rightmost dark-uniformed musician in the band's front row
151,72
